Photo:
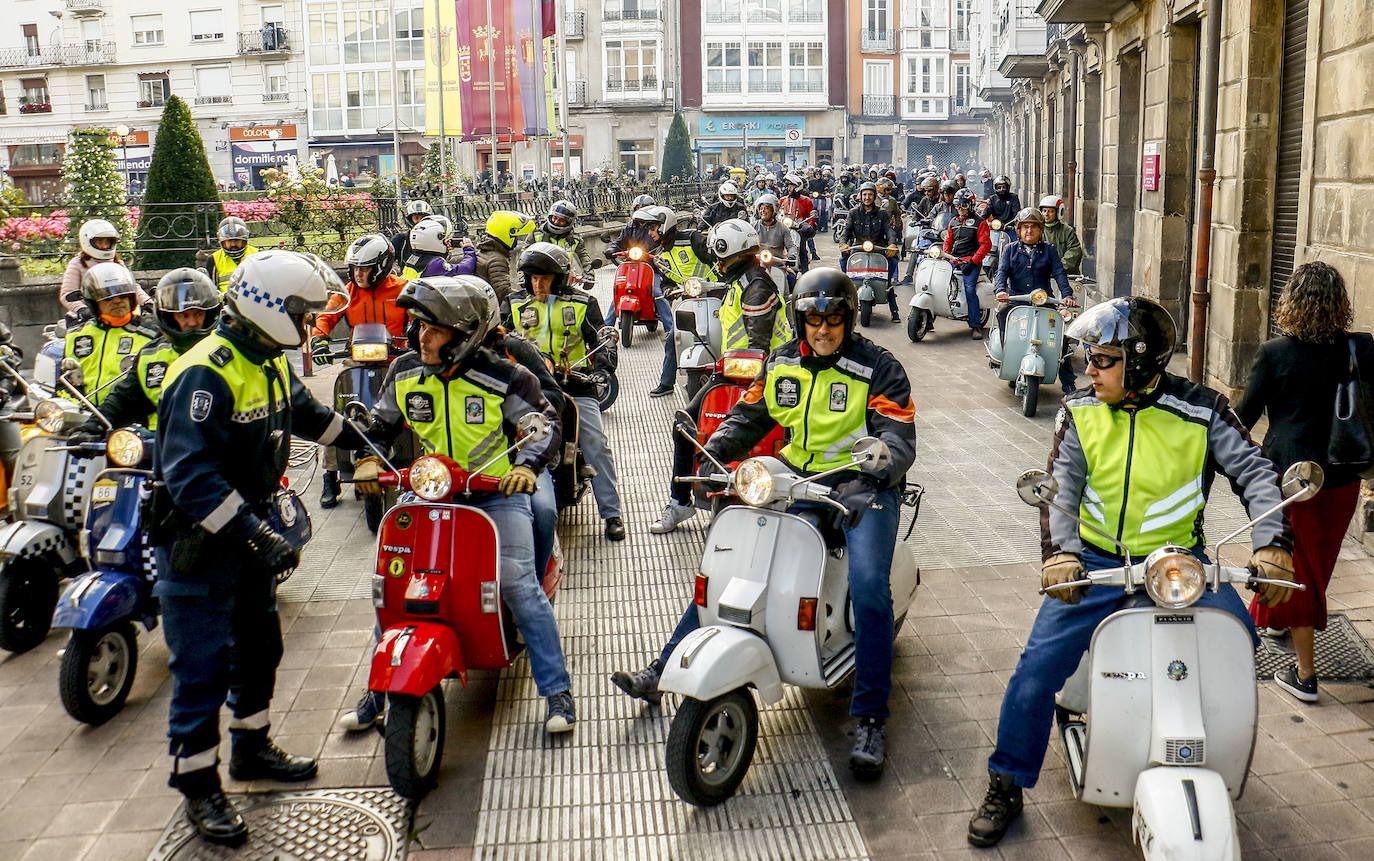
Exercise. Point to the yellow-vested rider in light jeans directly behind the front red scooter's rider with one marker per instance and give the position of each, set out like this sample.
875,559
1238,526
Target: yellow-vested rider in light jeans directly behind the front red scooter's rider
567,326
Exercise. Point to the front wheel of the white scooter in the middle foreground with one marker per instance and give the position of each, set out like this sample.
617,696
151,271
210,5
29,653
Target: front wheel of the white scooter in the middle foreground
711,746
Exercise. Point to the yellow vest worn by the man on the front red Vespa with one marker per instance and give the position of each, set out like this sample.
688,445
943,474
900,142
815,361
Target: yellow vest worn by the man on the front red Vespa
457,418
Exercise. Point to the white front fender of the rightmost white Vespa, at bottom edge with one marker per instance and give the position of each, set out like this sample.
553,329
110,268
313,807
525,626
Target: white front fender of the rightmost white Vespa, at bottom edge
1184,814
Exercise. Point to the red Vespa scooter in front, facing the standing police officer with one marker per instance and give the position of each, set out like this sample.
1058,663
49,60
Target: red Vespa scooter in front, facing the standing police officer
439,605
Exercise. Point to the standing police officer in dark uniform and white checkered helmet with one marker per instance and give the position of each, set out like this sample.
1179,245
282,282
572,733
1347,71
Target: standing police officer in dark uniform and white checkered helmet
226,418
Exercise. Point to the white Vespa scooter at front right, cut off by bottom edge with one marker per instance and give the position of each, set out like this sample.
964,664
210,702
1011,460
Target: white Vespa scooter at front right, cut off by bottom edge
1162,713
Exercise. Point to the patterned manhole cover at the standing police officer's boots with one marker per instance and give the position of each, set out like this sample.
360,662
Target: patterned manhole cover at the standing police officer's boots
335,825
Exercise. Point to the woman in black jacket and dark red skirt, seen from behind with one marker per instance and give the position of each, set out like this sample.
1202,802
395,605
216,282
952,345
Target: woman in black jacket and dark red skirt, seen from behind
1295,381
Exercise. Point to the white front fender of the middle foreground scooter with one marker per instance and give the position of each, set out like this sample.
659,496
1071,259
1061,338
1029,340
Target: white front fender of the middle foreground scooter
721,658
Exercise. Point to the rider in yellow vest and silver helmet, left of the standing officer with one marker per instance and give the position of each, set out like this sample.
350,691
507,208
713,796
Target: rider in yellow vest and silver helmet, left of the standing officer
113,334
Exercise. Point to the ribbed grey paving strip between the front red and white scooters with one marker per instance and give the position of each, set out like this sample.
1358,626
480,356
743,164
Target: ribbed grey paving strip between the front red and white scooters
602,792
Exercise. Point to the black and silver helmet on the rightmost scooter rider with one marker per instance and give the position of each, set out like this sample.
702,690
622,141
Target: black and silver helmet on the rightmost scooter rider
1141,328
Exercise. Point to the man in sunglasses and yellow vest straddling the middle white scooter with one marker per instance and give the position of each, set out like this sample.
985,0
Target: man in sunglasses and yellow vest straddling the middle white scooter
864,392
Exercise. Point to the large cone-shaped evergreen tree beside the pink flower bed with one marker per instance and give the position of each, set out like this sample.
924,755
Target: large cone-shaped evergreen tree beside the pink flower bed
182,203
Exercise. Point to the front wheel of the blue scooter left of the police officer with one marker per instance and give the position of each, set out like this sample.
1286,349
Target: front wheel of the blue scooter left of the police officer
98,669
